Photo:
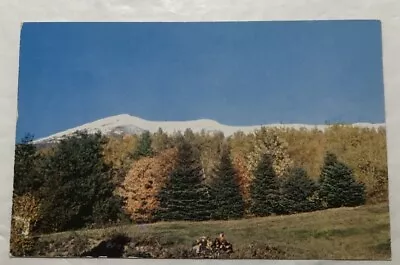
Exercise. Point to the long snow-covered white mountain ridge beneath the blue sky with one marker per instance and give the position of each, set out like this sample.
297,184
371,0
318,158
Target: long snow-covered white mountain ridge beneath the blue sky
127,124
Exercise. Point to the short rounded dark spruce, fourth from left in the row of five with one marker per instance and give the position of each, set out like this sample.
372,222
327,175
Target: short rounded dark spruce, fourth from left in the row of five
299,192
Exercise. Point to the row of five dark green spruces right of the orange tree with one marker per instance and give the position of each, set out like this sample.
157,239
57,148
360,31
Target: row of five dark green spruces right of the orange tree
186,197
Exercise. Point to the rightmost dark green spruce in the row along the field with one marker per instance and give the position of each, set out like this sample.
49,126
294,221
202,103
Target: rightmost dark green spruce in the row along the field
338,186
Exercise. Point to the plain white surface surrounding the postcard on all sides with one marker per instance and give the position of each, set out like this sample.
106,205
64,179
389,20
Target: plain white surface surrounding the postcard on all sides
14,12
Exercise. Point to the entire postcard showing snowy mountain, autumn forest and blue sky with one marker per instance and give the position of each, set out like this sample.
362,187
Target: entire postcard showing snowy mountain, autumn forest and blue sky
201,140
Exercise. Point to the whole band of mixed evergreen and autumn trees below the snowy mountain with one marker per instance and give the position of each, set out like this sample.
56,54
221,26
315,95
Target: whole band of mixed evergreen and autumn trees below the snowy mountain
94,181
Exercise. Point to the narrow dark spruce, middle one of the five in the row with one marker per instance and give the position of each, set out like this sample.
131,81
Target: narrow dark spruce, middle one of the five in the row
264,190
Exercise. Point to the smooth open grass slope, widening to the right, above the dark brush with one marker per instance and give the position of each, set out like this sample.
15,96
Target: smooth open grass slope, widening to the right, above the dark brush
345,233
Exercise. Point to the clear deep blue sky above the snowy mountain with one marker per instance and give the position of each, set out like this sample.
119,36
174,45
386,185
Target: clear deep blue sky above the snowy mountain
238,73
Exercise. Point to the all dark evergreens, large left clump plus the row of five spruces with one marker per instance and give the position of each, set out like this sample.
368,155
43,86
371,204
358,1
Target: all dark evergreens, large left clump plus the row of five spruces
76,188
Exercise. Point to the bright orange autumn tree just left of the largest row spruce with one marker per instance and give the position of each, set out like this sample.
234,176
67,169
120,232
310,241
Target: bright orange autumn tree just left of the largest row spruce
143,182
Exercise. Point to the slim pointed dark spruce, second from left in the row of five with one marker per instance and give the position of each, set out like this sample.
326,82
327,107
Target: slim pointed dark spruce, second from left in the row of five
228,199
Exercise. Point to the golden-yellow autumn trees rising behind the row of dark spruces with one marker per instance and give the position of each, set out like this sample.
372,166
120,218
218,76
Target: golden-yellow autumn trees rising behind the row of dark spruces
363,150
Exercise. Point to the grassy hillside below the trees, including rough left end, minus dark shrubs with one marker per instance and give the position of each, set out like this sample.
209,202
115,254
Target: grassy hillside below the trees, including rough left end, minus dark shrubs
344,233
